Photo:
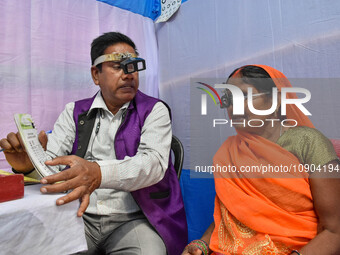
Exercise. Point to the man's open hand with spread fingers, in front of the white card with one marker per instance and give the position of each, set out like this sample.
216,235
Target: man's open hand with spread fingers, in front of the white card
83,177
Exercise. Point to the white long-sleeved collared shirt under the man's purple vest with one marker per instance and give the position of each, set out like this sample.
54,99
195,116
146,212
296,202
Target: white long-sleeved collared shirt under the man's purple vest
119,177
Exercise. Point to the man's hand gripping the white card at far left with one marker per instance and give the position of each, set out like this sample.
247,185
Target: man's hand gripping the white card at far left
15,152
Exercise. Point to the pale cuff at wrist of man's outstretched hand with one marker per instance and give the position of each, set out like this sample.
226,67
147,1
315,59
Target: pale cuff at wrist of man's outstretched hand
110,177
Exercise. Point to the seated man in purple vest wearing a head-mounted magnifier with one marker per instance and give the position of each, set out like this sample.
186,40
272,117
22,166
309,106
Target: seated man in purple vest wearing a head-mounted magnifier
120,167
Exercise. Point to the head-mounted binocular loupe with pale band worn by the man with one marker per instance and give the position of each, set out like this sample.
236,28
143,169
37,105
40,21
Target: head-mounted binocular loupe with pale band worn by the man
129,62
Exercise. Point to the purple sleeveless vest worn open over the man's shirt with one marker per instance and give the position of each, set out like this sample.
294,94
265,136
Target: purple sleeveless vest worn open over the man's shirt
162,202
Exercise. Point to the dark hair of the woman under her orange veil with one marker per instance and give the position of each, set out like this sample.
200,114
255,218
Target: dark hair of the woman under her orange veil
255,76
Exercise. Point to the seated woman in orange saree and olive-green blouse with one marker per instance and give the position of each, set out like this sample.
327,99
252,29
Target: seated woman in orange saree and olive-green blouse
285,212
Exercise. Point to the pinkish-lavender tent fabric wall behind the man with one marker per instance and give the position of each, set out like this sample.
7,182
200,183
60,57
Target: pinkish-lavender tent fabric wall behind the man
45,55
